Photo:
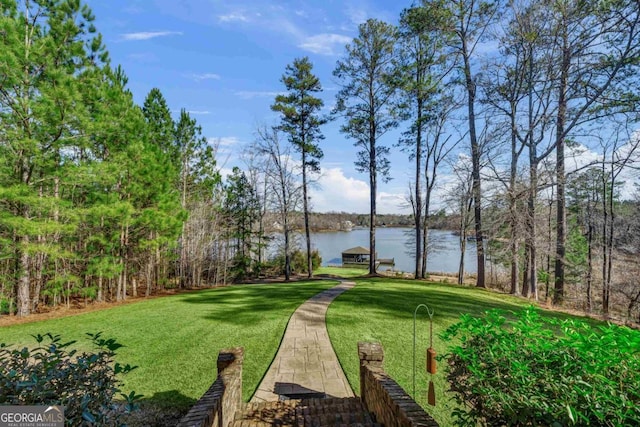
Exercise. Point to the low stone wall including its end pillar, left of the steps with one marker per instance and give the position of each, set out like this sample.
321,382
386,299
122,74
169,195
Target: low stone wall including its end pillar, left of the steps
217,407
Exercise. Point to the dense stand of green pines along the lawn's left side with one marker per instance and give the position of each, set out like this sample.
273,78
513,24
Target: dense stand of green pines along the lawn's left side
101,199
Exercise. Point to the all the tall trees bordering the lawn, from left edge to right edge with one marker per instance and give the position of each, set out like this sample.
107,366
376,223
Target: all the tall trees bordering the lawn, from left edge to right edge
101,199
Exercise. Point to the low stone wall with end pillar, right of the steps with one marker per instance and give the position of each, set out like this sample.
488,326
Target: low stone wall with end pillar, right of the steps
382,396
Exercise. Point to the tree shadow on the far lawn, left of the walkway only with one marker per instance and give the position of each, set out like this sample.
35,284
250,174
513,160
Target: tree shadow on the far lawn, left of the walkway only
245,304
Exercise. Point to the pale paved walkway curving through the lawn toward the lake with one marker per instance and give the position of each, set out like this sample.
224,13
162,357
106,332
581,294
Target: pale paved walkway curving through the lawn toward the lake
306,365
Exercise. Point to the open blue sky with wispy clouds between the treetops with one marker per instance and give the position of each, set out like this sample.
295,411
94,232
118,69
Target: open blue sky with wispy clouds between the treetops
222,61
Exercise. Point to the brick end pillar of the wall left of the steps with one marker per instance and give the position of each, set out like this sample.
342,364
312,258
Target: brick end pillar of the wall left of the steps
230,371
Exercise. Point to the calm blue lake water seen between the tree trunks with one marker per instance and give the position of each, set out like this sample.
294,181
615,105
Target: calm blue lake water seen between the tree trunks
443,256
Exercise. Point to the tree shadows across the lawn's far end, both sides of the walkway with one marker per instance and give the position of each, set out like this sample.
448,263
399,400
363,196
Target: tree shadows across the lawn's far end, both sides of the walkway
247,304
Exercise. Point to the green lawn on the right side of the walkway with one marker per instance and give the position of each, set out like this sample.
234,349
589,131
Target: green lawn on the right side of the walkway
382,310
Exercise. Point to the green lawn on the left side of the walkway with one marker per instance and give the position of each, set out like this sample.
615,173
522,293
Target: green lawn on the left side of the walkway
175,340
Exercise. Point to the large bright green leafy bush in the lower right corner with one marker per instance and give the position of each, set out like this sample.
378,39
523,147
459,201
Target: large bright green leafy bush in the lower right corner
542,371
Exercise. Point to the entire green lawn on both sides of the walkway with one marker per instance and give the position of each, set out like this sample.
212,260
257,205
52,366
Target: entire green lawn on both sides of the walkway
175,340
